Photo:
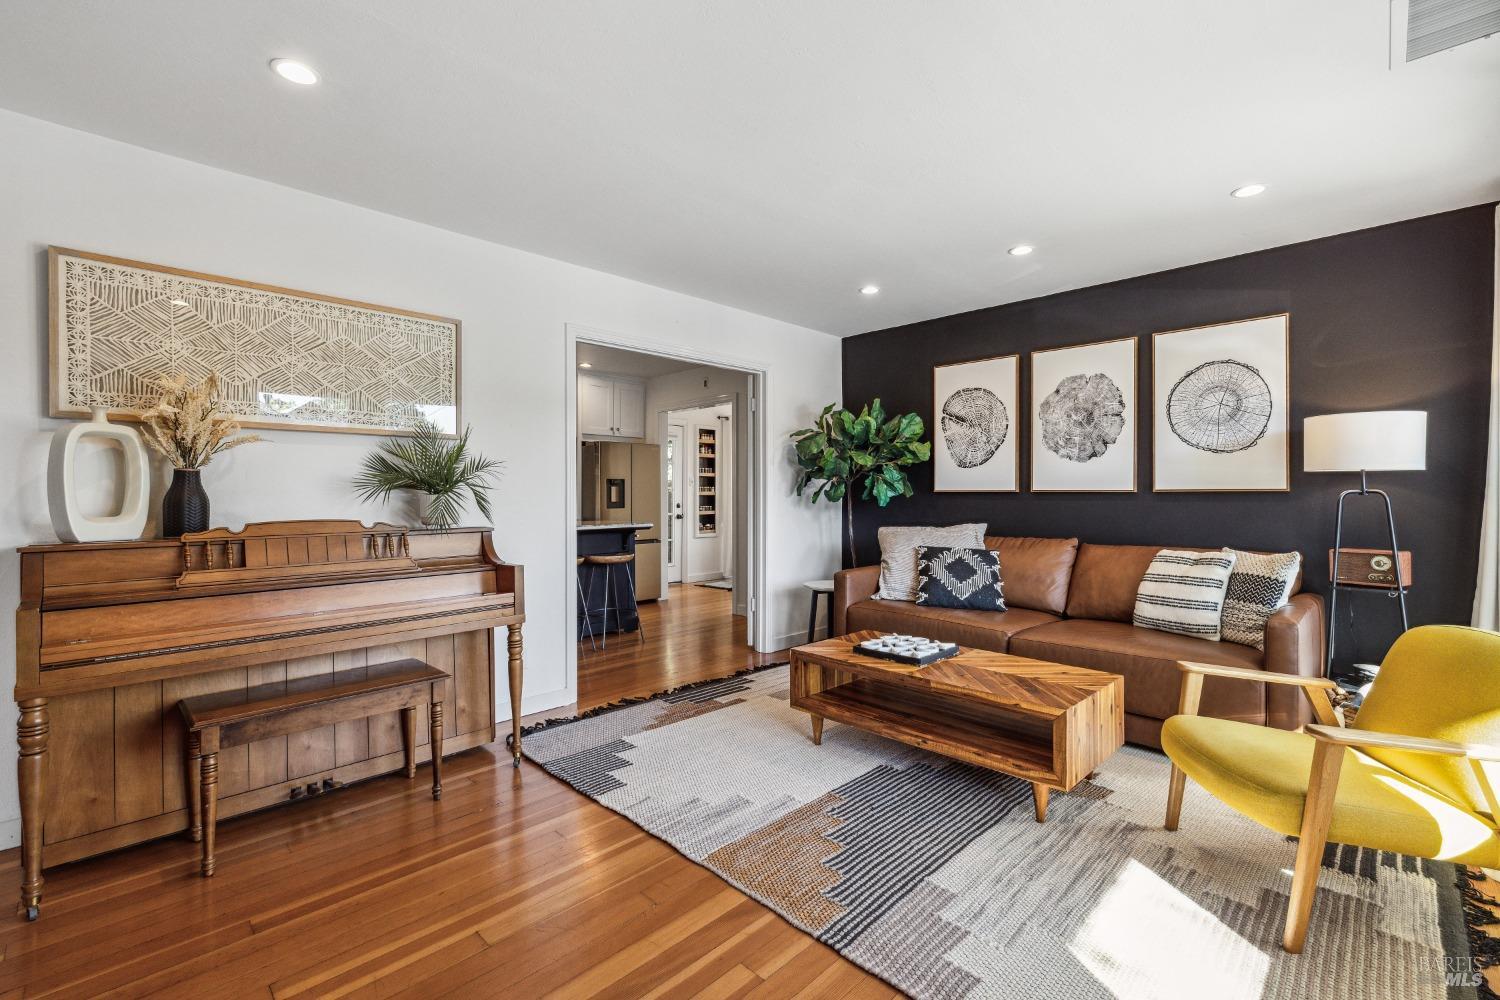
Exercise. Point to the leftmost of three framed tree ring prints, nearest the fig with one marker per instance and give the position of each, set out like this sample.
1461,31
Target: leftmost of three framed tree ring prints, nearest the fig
976,427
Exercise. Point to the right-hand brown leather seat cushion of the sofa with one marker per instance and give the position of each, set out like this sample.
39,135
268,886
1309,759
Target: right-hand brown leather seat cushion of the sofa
1148,660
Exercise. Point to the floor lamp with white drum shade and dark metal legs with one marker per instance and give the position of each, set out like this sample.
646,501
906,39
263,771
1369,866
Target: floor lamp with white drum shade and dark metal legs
1376,442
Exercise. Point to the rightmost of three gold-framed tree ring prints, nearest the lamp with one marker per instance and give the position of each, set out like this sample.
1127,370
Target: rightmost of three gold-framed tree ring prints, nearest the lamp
1222,436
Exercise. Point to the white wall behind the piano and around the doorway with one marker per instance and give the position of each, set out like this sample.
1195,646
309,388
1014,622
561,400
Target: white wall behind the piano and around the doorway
91,194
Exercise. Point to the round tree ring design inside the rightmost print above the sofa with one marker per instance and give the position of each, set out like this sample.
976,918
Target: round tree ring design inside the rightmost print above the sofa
1220,407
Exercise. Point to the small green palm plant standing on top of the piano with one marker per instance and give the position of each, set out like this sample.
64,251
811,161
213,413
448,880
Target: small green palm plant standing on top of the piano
437,469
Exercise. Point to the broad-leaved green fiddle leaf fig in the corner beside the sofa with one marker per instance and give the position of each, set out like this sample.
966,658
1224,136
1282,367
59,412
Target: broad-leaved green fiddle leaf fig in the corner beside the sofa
865,452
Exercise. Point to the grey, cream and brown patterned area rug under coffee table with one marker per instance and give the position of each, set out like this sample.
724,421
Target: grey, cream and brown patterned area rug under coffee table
935,876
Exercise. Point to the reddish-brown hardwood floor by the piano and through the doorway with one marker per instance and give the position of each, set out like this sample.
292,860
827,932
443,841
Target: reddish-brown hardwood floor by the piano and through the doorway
512,887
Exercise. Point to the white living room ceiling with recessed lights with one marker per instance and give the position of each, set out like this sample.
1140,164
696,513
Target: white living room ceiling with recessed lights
778,155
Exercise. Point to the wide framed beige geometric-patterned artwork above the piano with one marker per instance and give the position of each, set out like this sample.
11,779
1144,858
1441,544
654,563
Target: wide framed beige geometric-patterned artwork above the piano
286,359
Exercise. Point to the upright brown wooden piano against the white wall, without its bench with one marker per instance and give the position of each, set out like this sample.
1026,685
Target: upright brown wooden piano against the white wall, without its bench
110,636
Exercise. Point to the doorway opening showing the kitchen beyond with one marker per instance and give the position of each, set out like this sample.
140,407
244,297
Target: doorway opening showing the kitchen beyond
665,454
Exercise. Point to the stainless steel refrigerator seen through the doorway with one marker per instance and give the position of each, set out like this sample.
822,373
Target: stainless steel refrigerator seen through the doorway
622,484
